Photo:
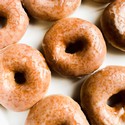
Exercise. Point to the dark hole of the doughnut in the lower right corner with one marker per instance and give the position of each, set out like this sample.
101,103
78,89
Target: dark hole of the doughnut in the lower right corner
117,99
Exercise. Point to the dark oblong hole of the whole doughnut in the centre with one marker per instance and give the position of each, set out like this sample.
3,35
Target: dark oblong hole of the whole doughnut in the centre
75,46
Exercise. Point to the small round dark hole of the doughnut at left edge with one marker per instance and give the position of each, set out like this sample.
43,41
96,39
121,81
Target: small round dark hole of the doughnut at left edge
20,77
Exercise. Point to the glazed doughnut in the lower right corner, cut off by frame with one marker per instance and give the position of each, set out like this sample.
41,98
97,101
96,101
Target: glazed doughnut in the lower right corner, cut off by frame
103,96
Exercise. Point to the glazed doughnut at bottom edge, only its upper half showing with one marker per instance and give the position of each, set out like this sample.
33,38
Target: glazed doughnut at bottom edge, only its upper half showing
56,110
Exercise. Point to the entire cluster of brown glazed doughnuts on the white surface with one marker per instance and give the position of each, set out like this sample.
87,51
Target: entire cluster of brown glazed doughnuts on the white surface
72,47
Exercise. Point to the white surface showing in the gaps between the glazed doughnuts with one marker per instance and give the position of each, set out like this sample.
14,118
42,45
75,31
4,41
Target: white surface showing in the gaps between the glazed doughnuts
90,11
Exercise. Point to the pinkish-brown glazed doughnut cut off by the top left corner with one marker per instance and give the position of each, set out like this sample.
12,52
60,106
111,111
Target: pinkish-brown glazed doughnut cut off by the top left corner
17,22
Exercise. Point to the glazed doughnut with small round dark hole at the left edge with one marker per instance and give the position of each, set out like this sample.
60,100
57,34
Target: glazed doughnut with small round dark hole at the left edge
24,77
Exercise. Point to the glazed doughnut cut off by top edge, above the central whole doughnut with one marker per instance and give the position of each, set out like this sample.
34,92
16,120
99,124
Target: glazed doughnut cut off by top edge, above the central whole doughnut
51,10
